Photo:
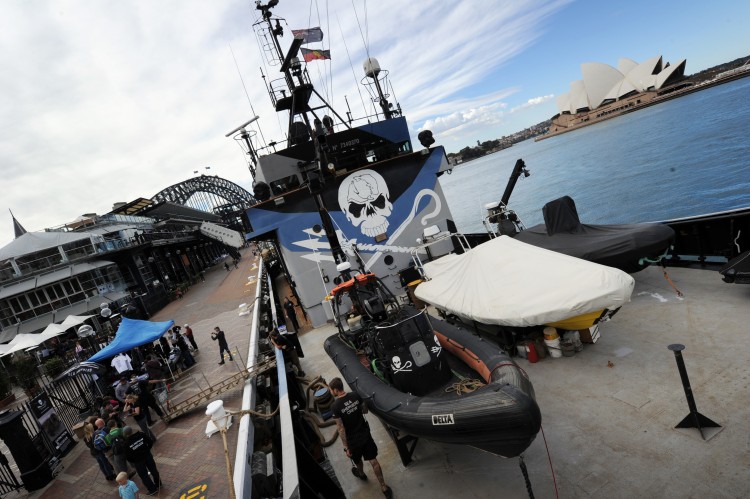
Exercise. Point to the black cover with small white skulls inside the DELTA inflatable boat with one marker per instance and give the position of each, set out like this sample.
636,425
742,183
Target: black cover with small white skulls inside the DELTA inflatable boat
411,355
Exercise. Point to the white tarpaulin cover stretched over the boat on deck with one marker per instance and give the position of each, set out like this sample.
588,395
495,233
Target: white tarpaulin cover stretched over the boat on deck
507,282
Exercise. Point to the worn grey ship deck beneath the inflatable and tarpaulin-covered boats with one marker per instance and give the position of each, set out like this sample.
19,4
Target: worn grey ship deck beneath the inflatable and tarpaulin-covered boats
609,412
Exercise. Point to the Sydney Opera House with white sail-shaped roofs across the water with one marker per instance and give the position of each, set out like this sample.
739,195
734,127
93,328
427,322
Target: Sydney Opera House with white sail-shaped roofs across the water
606,91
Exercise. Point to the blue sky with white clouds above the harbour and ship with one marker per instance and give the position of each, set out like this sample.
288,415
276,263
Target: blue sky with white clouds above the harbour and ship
106,101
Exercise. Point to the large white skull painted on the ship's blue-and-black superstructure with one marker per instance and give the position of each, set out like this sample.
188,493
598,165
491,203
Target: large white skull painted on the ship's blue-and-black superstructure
364,197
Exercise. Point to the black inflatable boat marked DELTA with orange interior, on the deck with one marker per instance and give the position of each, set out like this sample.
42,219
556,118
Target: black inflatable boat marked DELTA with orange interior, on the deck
427,378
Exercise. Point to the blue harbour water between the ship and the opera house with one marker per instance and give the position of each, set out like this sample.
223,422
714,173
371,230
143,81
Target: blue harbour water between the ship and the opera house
685,157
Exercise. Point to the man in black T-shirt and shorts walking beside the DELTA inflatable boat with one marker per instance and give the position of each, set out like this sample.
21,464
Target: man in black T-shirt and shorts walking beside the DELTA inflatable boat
348,410
